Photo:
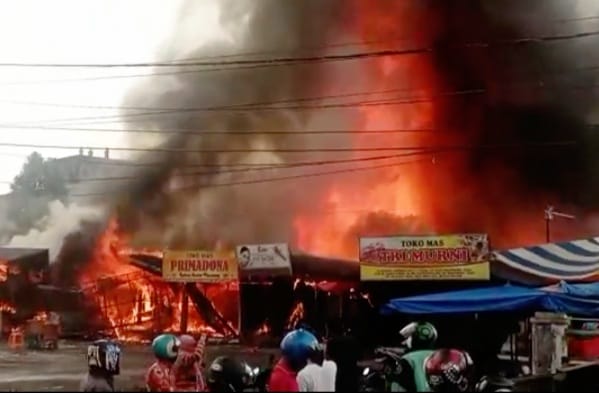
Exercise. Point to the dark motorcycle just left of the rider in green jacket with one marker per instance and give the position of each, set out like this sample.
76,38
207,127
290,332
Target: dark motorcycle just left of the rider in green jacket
379,377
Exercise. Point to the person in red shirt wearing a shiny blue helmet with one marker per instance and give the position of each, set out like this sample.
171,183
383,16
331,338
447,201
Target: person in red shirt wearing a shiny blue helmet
296,347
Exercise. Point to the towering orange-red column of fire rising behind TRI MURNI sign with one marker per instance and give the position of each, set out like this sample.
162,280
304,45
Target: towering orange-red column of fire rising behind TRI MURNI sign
426,192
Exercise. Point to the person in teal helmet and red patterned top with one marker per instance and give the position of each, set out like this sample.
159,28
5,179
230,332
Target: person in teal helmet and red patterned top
160,375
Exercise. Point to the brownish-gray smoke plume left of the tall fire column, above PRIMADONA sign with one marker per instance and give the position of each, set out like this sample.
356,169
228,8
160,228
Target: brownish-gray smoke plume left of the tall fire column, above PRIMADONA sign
201,214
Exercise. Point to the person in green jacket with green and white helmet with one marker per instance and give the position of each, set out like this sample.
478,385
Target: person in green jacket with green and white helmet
421,338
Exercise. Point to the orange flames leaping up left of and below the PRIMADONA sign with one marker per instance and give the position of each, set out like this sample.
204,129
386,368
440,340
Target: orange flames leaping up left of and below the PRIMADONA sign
131,302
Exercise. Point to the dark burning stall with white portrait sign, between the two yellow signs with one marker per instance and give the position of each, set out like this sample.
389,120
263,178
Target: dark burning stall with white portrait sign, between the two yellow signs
297,288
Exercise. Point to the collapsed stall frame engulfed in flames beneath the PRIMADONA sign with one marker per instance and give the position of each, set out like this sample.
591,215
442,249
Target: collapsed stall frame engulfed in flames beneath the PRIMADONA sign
141,303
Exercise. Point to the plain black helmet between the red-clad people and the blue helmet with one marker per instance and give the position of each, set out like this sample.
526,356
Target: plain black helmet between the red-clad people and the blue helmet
227,374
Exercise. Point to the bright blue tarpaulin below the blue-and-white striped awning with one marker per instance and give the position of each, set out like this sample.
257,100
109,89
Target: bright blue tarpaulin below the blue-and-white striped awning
569,299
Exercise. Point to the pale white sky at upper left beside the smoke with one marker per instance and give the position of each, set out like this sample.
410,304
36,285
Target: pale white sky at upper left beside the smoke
75,31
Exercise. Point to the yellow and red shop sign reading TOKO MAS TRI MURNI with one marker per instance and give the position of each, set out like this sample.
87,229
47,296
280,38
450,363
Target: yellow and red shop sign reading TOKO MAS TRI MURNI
448,257
